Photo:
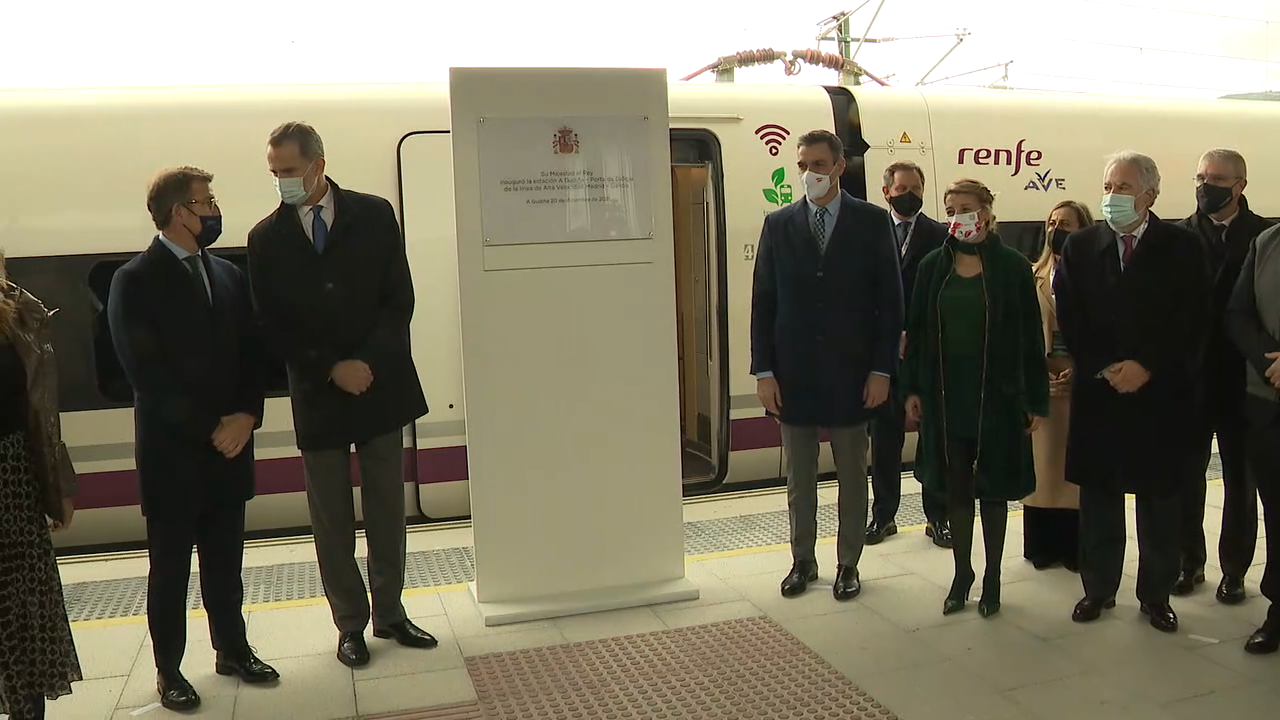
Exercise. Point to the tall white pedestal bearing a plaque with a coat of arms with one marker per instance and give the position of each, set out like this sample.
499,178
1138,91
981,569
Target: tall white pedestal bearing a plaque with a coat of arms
569,340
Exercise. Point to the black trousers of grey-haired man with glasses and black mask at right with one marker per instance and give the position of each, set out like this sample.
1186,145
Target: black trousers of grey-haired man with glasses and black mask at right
1240,504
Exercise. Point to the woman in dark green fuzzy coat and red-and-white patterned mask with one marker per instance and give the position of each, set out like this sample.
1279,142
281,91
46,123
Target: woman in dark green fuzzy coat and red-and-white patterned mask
976,381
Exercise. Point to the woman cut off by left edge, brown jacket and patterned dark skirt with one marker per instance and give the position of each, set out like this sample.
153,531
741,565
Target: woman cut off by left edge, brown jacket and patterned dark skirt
38,654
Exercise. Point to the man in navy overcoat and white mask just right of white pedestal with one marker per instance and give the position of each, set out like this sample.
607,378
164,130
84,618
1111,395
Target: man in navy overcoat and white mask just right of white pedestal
826,339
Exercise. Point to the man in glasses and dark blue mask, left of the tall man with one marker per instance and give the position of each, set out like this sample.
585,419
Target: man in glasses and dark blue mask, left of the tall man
182,325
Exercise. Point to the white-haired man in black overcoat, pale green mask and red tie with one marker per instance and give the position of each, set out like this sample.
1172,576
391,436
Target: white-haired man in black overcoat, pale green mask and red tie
1133,304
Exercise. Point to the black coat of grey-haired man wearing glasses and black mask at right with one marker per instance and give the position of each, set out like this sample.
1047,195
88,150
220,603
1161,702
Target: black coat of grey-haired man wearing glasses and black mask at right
1223,380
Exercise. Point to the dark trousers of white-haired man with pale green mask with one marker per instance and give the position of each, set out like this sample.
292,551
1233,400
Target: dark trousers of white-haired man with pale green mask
1104,537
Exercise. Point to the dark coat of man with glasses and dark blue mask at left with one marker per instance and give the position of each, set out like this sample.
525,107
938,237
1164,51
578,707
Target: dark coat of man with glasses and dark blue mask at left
190,364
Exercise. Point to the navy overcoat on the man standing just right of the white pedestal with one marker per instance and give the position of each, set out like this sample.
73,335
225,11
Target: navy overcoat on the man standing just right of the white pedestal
824,322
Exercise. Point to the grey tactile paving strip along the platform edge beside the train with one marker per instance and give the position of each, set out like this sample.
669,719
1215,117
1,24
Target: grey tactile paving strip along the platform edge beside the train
127,598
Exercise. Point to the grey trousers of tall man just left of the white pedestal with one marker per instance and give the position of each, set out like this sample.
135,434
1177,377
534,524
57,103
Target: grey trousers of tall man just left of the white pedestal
333,522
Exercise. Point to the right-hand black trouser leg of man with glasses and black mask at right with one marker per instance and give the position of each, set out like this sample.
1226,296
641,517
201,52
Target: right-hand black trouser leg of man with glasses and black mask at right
1240,536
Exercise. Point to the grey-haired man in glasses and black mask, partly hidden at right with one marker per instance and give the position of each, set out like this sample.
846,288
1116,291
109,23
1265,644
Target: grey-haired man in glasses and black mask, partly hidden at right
1227,227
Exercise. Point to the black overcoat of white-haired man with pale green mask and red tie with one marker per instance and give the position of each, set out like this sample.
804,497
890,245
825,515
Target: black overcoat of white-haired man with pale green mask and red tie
1155,313
